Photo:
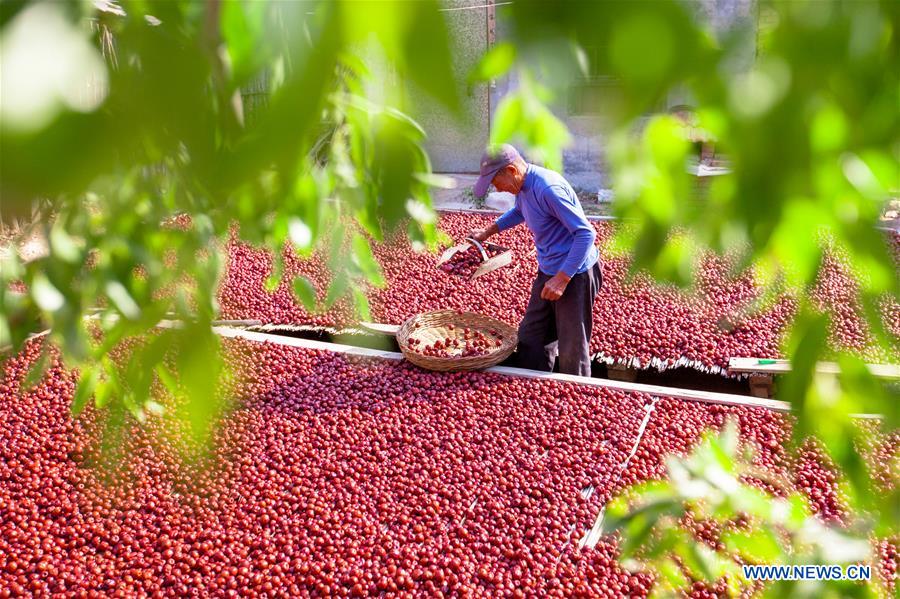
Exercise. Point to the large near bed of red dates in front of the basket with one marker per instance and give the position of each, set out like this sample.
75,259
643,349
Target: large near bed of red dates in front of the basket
335,475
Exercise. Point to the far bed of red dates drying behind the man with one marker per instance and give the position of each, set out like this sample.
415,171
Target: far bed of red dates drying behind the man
637,322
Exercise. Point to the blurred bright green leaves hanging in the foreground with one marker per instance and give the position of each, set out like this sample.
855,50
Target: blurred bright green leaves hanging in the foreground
128,116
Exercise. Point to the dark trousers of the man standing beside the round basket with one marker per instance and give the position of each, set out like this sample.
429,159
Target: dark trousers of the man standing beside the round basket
564,324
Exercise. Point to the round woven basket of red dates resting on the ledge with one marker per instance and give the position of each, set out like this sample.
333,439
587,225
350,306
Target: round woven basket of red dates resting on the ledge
432,326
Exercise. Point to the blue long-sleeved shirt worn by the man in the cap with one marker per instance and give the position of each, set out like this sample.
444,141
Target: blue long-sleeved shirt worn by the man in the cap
562,234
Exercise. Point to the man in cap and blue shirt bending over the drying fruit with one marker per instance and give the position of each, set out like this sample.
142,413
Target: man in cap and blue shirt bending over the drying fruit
559,315
